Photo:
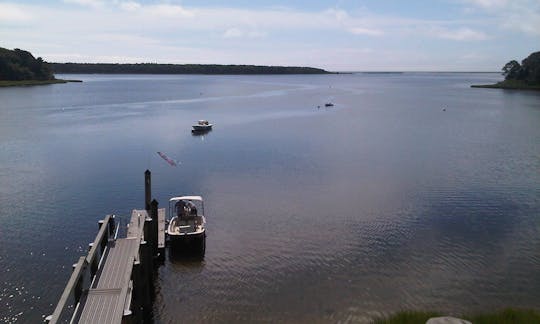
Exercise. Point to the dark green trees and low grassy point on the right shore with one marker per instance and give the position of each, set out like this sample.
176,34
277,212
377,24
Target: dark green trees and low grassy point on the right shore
524,76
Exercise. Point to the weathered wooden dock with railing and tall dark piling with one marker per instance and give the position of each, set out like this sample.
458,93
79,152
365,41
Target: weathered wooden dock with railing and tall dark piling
114,282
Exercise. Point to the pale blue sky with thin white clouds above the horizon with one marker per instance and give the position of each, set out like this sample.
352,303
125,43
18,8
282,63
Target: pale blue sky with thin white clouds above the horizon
371,35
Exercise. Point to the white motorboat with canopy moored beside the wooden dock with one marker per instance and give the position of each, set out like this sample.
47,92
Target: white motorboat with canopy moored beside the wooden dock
186,229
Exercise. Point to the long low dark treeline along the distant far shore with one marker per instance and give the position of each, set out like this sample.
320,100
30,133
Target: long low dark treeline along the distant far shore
154,68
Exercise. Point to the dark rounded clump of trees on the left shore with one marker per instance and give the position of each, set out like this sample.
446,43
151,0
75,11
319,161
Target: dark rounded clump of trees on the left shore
19,65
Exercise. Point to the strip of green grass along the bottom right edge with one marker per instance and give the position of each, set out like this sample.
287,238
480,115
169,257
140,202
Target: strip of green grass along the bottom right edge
505,316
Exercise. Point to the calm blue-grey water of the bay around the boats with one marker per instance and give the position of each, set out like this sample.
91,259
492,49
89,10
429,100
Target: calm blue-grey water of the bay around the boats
383,202
